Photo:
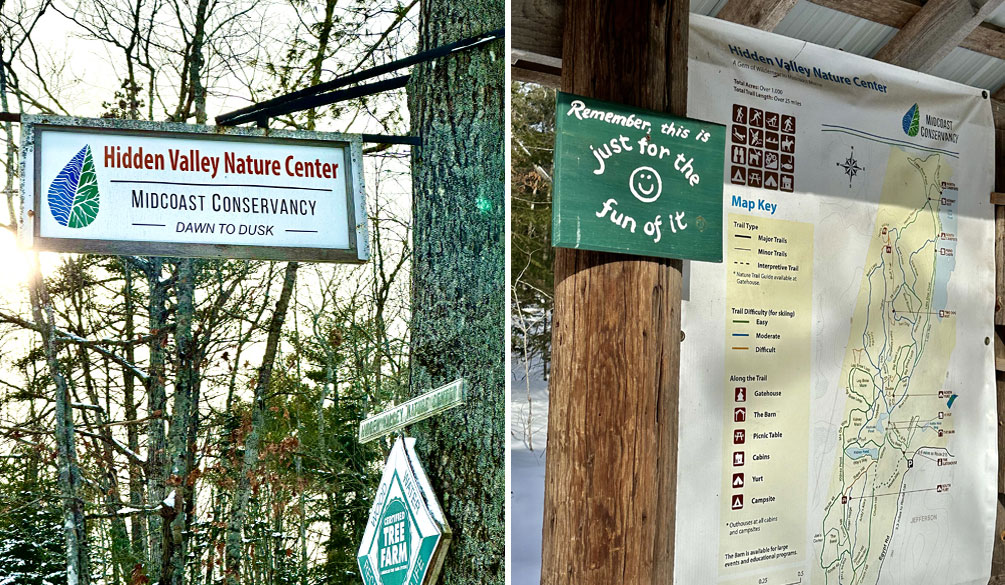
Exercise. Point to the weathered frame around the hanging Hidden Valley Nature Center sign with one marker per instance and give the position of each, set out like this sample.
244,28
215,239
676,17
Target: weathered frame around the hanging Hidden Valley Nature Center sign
36,127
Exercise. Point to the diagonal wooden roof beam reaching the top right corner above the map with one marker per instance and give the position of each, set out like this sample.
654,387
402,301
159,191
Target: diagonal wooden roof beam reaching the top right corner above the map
937,29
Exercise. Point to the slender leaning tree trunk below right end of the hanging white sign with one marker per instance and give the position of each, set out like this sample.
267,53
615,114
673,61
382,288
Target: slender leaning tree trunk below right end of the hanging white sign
243,494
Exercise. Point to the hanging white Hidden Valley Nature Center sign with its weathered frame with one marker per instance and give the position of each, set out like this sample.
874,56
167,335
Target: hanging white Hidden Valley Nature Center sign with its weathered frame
125,187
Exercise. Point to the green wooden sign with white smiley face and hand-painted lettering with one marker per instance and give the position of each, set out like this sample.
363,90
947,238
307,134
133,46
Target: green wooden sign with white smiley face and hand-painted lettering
639,182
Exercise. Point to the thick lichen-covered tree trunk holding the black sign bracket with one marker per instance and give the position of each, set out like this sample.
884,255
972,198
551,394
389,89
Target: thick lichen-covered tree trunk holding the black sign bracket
458,328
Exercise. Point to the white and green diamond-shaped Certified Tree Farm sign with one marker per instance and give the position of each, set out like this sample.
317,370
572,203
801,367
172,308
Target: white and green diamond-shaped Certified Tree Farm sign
408,534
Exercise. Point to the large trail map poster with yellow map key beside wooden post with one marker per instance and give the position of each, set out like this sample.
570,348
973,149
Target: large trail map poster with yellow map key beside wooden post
836,364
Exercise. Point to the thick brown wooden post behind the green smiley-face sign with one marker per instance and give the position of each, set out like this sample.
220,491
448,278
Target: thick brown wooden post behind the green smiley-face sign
611,487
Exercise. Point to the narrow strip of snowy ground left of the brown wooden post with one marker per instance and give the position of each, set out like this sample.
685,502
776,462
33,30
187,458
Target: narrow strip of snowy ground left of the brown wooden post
527,444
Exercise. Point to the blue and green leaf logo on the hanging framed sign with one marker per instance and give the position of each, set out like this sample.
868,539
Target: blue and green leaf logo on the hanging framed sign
74,198
